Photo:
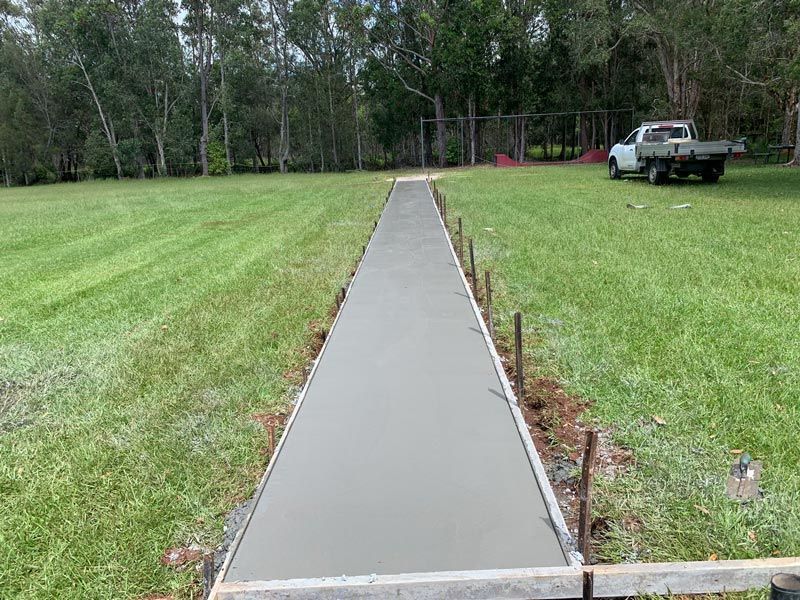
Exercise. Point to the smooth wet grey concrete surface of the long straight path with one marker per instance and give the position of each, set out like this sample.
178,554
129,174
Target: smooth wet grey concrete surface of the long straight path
404,456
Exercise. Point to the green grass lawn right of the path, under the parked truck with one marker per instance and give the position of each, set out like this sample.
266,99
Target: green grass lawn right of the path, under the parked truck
690,315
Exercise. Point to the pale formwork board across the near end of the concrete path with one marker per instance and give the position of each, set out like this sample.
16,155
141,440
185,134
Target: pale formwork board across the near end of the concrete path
554,583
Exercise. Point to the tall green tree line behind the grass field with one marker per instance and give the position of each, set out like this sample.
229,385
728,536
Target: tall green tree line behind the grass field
137,88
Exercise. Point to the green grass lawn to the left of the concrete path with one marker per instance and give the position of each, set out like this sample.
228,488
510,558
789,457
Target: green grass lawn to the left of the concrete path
141,325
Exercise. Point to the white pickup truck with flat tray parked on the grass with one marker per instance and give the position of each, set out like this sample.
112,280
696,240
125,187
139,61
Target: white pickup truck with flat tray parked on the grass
658,148
